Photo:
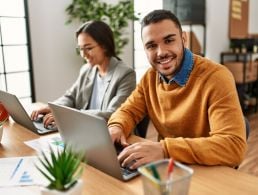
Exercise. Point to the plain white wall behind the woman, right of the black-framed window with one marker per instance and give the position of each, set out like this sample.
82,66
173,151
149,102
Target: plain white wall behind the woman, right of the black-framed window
55,62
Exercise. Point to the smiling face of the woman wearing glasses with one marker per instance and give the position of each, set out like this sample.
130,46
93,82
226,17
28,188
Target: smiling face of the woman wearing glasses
90,50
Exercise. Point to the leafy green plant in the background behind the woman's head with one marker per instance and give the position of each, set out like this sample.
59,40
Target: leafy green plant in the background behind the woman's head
117,16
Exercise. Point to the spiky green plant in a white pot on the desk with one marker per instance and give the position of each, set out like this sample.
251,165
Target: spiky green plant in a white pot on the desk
62,169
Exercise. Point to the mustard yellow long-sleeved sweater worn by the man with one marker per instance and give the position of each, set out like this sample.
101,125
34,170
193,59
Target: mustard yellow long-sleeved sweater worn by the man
199,123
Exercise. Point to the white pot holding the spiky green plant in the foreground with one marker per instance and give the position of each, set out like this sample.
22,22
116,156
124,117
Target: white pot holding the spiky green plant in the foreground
75,190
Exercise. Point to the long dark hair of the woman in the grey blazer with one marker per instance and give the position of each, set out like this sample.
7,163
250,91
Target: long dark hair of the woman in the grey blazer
101,33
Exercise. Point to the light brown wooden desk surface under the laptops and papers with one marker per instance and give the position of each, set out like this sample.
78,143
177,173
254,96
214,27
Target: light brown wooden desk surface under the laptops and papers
206,180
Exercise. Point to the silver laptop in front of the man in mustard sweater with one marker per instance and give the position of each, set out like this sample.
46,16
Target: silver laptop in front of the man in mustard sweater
89,133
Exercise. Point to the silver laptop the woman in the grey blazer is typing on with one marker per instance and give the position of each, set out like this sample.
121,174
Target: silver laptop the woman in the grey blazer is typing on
19,114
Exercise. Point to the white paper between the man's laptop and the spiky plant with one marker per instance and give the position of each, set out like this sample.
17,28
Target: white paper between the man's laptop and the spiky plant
42,144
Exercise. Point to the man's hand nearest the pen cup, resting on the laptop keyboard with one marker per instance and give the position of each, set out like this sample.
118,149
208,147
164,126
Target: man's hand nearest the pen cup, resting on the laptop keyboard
141,153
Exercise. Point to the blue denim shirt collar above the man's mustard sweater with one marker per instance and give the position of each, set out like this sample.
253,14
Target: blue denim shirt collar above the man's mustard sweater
182,76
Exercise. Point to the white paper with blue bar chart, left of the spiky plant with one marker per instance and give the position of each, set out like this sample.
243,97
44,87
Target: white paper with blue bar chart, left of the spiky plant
20,171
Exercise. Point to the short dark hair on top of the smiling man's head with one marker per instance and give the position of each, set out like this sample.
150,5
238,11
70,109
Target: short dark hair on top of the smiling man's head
159,15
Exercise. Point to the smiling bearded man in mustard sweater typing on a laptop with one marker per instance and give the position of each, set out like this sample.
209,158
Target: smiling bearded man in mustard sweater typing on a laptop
191,101
